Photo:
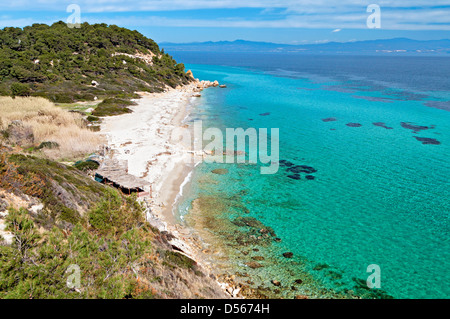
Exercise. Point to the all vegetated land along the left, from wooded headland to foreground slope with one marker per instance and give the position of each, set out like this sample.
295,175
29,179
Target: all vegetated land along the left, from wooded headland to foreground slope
55,218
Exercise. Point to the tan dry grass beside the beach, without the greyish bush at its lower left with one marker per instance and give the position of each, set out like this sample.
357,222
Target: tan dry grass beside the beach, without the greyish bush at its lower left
50,123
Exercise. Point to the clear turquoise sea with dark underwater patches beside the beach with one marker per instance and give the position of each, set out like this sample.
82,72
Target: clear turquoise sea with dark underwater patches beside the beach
380,193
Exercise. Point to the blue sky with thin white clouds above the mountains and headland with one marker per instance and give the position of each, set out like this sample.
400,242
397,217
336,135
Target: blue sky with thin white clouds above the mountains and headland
287,21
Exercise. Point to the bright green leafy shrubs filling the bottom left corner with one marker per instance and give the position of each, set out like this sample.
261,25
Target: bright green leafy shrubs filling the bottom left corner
37,265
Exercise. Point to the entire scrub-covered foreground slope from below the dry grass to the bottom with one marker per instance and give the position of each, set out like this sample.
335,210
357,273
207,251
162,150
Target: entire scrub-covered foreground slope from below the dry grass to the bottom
118,253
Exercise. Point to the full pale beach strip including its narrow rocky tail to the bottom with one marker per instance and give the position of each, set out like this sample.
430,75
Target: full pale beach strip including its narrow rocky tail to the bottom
142,140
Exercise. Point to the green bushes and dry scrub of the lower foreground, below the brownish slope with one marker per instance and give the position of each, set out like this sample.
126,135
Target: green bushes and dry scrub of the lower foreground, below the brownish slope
117,253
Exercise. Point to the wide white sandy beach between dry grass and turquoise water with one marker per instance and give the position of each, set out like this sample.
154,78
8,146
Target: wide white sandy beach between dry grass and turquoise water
144,140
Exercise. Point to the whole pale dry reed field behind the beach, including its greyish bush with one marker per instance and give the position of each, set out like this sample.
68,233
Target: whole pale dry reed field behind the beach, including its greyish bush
38,125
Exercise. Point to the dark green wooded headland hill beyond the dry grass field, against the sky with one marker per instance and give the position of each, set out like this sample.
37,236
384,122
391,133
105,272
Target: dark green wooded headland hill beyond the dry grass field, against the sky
61,63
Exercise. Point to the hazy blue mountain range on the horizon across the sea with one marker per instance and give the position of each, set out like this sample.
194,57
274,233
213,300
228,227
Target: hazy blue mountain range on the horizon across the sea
390,46
